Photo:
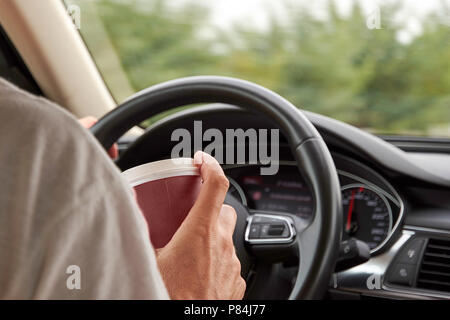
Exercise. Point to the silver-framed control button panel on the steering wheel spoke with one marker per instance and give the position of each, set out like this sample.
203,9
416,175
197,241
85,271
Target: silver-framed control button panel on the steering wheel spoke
268,229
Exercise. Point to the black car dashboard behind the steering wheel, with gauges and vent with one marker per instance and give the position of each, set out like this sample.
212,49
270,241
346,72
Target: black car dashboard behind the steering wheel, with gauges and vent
395,199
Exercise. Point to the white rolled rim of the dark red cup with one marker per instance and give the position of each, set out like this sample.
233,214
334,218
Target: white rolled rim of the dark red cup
160,170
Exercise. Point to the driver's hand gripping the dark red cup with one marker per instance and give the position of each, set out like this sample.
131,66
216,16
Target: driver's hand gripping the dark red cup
200,260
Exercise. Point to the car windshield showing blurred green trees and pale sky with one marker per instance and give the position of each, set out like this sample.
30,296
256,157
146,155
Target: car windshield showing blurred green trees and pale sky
382,66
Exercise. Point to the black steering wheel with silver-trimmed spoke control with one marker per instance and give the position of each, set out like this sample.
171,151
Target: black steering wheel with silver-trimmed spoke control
316,242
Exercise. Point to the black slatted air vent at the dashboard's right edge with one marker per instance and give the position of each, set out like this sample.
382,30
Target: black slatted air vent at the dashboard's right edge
434,273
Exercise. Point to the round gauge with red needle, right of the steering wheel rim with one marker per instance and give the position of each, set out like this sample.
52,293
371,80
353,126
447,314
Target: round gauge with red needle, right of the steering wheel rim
367,215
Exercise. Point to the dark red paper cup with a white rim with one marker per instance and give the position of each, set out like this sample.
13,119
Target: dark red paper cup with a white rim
165,190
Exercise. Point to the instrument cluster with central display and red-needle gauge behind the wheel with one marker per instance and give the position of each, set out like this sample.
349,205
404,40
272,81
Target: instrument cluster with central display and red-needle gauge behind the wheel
372,209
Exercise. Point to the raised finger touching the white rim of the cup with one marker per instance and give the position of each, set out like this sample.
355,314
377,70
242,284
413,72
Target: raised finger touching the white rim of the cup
214,187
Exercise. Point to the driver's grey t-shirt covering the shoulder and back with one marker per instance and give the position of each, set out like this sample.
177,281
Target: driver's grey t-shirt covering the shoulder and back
69,225
